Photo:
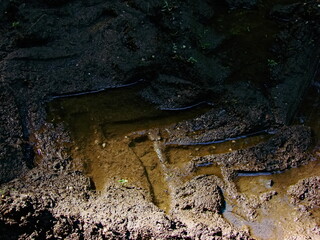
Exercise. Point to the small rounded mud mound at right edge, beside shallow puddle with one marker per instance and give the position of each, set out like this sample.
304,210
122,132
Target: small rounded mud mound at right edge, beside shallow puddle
306,192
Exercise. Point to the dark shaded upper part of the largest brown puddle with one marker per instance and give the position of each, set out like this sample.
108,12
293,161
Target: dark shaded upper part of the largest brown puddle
114,113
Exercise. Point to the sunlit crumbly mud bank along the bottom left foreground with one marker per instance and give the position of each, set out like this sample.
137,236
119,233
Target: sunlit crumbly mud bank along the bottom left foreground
63,205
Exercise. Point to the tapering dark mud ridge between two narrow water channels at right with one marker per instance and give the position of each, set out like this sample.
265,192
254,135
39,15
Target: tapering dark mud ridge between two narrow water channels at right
288,148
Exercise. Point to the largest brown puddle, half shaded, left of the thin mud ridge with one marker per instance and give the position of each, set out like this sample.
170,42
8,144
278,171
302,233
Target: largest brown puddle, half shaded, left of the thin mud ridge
111,142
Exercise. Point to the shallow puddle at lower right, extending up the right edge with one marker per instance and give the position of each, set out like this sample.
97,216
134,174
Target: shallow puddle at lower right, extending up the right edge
281,215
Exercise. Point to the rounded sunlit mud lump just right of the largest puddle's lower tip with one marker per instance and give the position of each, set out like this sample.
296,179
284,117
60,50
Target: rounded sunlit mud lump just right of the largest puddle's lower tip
201,194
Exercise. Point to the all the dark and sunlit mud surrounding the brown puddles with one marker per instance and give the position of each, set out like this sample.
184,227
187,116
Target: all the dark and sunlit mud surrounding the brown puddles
184,53
